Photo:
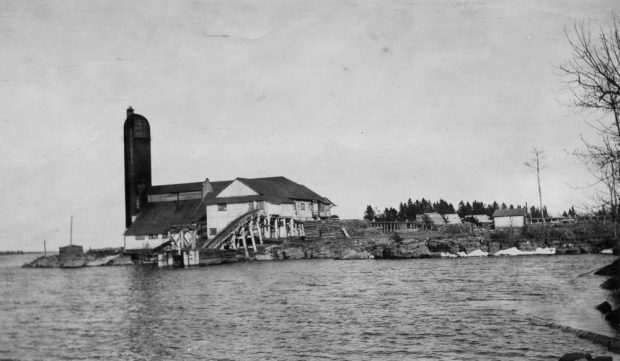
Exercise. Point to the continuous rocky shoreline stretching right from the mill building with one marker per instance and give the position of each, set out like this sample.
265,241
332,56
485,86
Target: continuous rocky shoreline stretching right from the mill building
367,242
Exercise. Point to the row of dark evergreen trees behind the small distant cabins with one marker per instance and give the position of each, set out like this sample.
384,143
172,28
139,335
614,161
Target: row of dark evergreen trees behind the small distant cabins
407,211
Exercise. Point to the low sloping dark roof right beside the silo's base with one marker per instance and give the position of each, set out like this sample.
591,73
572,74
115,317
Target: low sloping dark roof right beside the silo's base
157,217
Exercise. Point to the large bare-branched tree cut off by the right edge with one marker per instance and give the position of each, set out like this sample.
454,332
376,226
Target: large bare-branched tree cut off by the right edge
593,79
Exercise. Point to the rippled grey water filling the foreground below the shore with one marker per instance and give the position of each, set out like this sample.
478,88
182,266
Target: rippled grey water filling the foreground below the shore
453,309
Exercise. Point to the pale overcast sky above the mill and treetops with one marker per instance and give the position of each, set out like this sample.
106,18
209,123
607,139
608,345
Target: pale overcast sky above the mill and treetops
363,102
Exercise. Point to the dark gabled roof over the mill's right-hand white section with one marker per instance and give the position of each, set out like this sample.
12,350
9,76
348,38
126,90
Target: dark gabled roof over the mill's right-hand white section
273,189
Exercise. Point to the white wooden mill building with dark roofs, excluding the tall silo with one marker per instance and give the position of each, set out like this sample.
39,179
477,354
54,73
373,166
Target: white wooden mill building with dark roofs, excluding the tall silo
213,206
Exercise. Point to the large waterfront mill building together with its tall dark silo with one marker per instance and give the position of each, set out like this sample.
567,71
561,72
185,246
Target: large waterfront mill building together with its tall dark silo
206,208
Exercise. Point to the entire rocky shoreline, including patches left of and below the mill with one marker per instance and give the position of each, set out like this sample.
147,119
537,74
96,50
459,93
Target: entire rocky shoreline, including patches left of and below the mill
356,239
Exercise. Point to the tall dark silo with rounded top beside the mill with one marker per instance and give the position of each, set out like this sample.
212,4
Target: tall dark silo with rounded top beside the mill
137,134
